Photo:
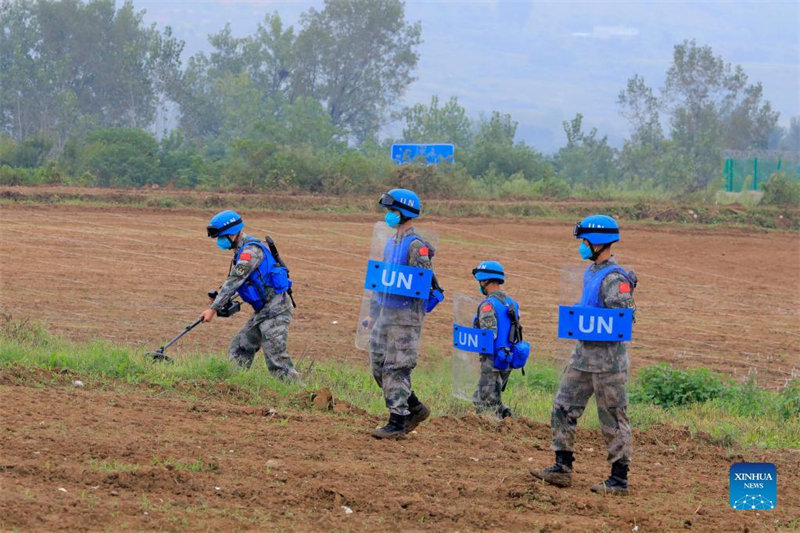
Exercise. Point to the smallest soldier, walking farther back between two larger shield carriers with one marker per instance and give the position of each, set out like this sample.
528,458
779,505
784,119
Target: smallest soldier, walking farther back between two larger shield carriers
493,314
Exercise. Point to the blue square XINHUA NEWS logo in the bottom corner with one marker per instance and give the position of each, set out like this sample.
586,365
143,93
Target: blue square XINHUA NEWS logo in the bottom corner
753,486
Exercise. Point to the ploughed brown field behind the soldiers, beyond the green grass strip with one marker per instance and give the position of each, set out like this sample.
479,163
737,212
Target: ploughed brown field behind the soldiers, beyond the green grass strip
723,298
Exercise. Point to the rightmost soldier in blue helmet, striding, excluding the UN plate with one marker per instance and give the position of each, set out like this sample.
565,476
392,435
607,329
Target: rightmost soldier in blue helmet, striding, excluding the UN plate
599,368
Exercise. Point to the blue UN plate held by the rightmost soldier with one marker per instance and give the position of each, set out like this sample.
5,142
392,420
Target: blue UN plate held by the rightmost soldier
595,323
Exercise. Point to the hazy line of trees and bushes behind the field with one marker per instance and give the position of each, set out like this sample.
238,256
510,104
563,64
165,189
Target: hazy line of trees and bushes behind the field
83,84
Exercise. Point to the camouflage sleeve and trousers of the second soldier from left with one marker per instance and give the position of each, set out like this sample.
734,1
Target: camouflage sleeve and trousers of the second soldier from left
394,340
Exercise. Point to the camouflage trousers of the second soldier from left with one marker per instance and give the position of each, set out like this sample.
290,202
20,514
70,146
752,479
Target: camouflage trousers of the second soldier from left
393,354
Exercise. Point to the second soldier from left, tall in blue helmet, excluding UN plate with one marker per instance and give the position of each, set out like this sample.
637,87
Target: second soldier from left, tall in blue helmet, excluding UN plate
397,320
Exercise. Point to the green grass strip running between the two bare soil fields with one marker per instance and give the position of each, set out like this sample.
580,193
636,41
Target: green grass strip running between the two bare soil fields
729,413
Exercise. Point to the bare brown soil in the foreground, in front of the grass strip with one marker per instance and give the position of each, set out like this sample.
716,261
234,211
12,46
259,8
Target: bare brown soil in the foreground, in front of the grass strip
94,459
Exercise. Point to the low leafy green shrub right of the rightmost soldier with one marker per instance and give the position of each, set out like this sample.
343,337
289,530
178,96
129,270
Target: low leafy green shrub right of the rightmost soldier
668,387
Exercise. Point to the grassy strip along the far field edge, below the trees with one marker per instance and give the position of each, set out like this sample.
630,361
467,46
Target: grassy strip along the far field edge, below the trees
740,211
